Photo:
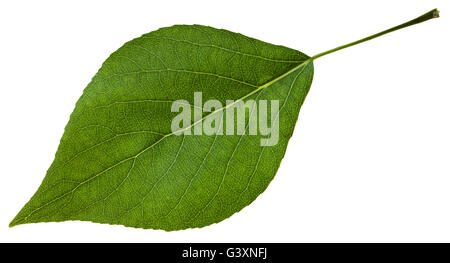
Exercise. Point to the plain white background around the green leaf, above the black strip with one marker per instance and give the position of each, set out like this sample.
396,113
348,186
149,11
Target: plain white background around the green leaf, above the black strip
370,156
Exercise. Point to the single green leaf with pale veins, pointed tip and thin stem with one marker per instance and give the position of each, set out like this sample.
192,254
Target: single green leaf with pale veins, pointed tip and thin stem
119,160
